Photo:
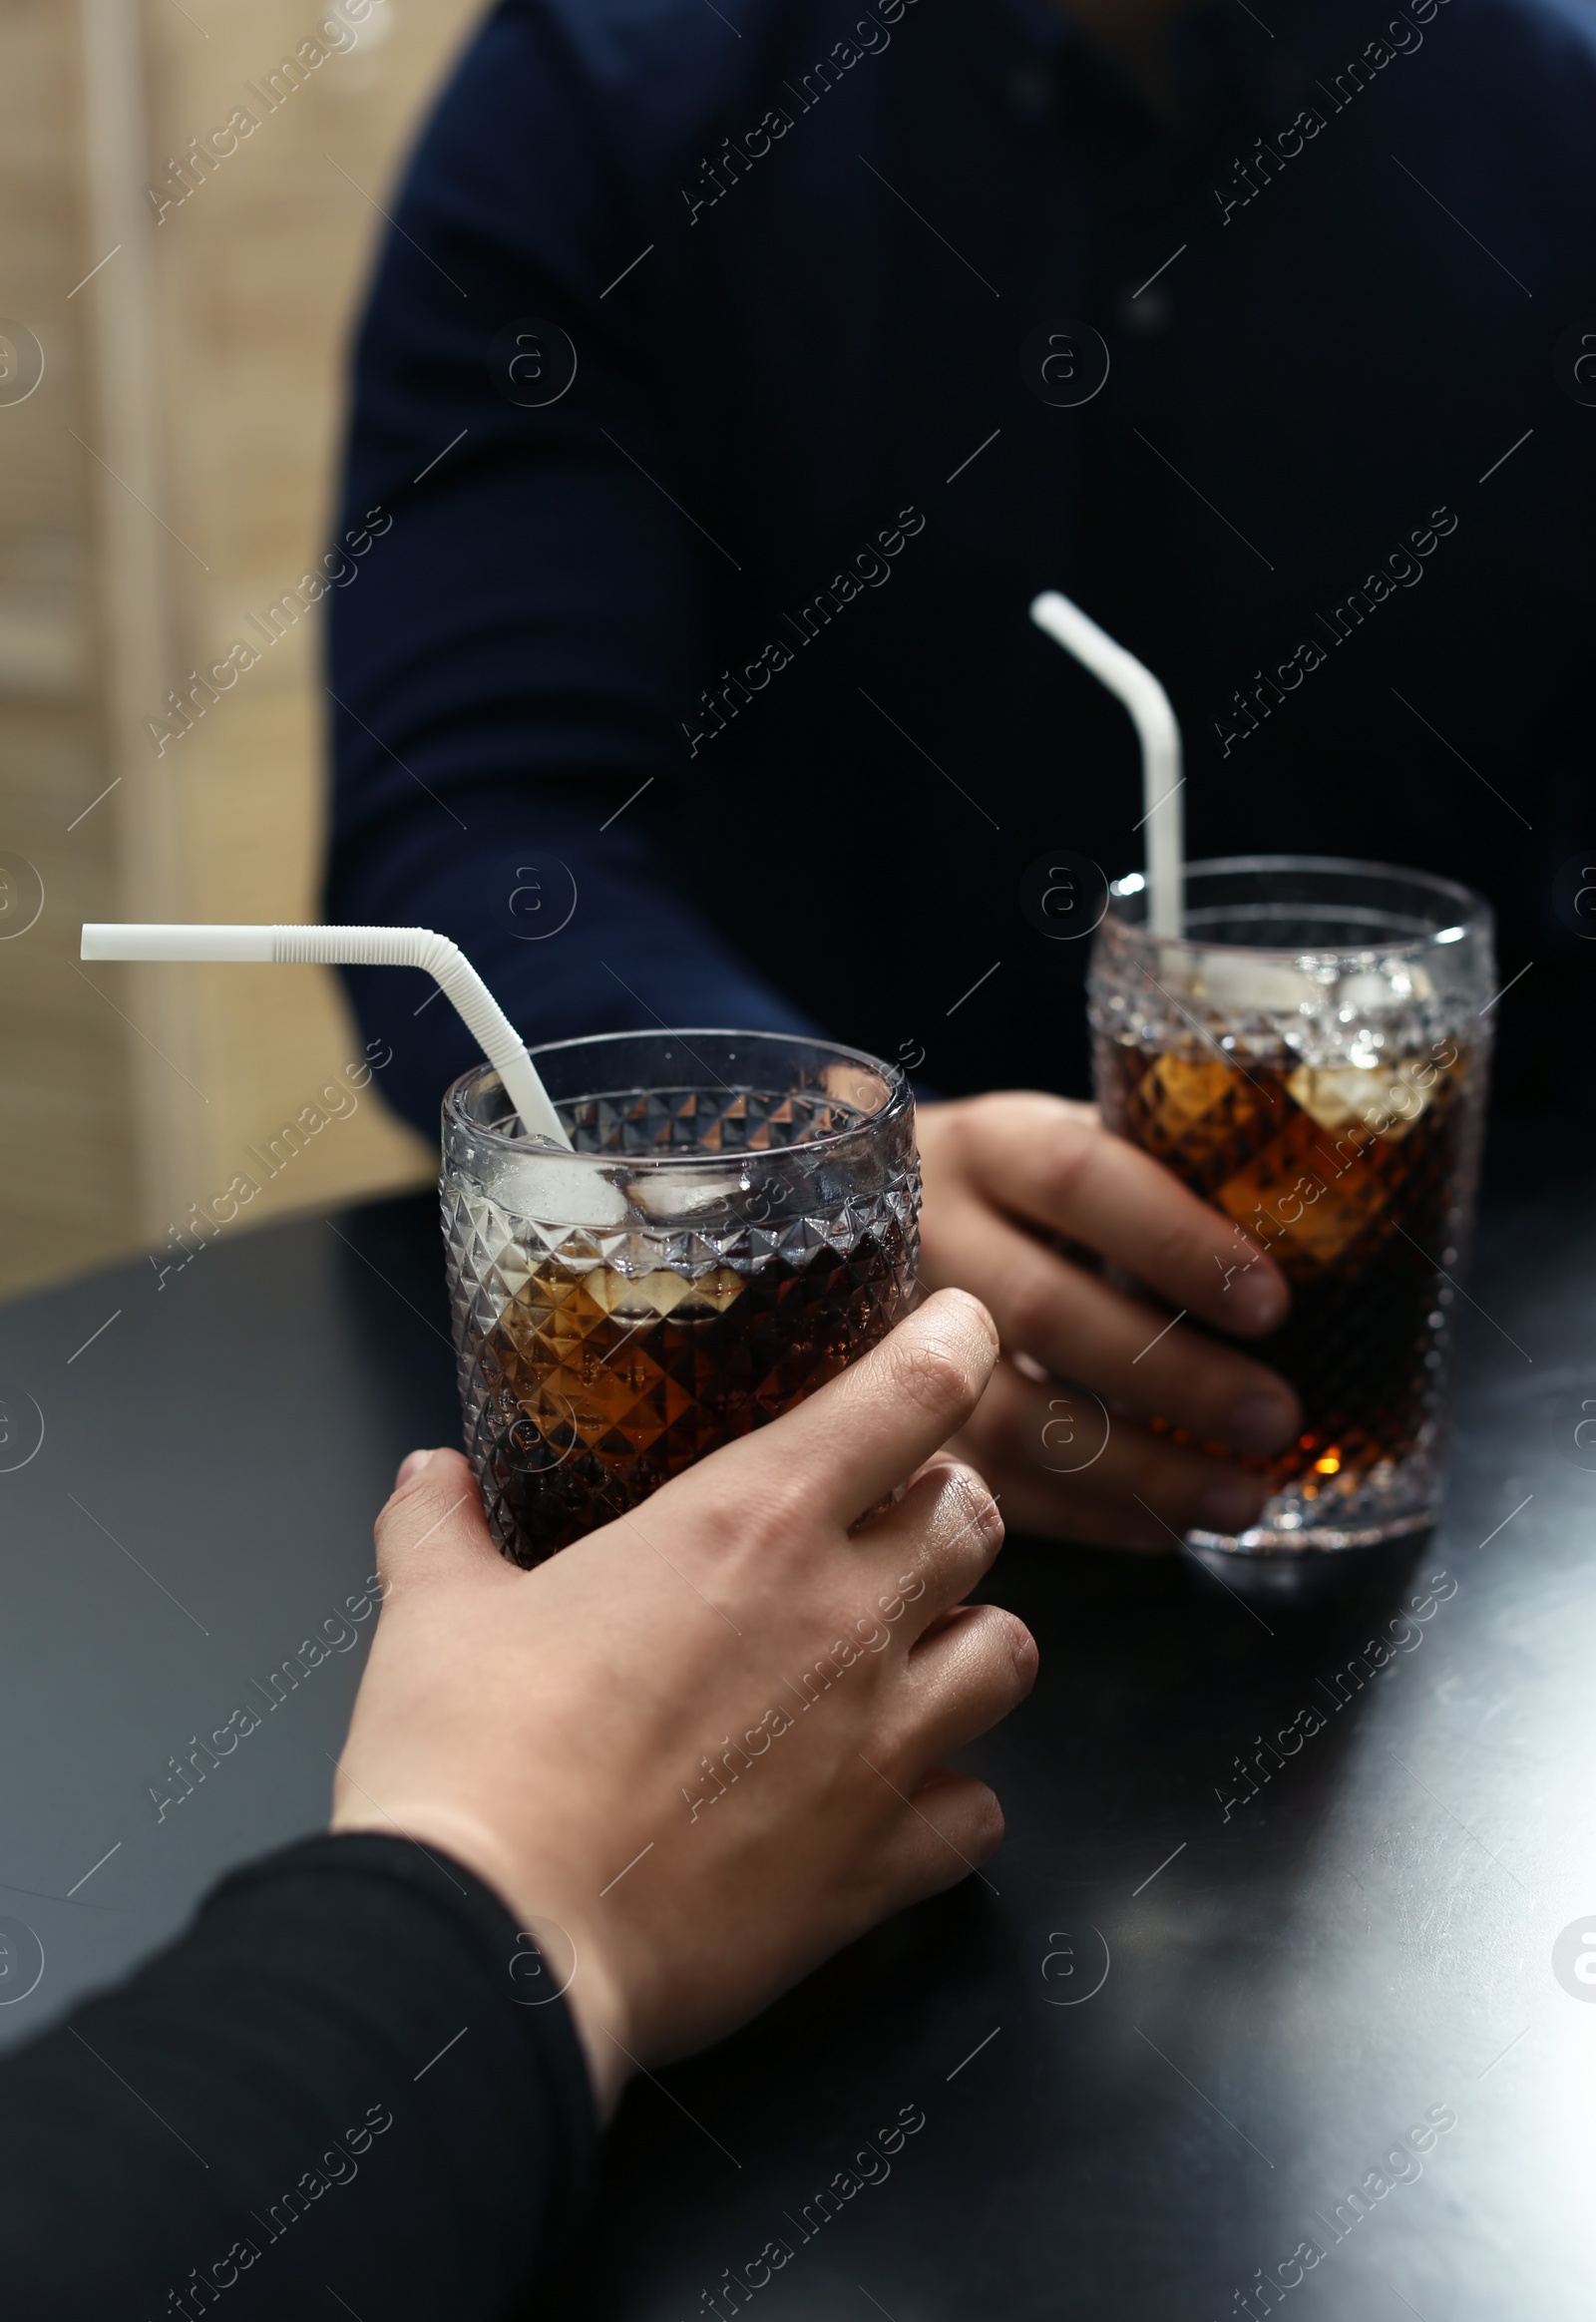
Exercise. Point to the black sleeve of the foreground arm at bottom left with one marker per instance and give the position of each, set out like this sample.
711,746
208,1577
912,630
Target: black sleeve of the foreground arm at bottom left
347,2077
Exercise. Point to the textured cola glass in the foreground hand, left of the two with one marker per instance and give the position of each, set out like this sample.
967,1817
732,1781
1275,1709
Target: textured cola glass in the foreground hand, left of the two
740,1220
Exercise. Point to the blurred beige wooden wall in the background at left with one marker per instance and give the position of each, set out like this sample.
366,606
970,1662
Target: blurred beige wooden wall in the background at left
189,205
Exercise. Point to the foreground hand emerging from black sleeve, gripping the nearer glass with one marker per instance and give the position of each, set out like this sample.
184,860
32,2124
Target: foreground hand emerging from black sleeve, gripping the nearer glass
707,1740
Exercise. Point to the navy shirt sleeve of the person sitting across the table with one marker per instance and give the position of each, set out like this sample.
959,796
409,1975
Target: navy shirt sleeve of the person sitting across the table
519,600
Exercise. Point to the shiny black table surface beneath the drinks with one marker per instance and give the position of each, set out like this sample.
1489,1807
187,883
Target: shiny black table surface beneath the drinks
1156,2049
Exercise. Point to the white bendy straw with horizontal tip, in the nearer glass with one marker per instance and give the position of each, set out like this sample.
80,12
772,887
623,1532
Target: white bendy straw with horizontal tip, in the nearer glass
361,949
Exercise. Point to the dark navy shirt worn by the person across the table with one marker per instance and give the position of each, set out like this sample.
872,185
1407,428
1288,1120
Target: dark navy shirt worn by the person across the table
700,688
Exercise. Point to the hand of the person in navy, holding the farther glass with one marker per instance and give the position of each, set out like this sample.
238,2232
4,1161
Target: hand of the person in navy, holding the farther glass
1002,1178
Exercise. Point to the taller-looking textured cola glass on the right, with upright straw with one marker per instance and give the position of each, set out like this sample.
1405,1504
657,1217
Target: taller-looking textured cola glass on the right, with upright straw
1311,1060
